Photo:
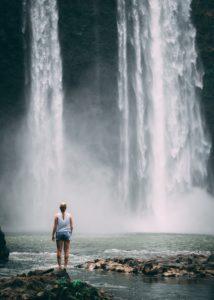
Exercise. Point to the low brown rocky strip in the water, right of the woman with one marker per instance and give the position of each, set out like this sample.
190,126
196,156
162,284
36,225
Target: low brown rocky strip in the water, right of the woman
189,266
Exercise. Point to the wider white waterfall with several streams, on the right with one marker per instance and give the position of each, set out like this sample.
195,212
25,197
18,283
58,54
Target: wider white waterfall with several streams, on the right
164,145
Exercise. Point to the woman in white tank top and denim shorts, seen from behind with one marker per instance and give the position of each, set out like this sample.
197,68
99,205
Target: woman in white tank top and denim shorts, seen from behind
63,226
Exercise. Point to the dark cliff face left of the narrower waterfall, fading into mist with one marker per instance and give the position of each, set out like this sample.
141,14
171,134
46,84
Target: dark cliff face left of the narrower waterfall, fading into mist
12,73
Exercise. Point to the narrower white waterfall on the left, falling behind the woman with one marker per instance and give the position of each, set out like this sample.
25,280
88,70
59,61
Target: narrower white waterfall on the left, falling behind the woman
45,150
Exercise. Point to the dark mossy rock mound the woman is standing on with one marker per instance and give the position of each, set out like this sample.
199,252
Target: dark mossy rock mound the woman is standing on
48,284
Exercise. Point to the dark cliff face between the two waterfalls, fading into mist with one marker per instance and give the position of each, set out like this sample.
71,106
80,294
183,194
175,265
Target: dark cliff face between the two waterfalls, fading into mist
88,40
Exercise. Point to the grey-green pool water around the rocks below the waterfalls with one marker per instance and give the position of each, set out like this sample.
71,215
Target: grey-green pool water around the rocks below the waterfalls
30,251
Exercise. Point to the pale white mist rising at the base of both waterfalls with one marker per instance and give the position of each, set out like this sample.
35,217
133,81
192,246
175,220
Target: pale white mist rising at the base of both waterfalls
90,189
